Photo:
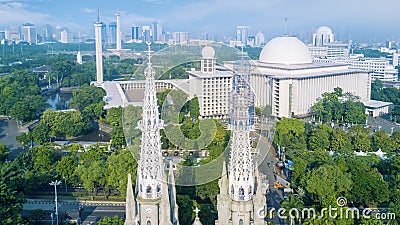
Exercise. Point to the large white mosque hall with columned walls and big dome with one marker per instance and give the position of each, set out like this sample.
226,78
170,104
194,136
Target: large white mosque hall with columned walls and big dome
286,78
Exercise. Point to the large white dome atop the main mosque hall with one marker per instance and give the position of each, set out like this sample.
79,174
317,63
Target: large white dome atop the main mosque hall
285,50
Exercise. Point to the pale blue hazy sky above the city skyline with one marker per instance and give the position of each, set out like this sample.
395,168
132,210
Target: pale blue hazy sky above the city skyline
363,20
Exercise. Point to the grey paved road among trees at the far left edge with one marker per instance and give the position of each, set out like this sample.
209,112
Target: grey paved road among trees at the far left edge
8,132
